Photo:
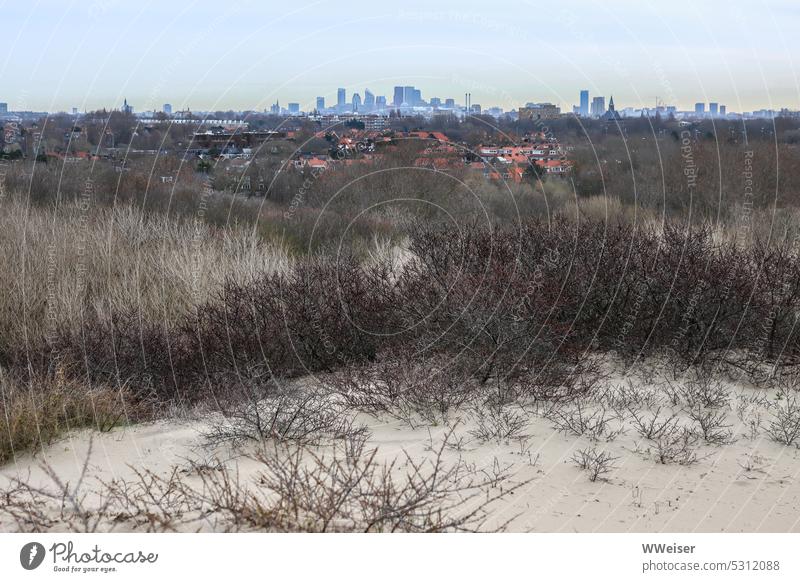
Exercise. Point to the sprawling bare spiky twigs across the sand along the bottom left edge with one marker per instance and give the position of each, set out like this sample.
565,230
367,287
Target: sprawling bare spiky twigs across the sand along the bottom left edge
297,490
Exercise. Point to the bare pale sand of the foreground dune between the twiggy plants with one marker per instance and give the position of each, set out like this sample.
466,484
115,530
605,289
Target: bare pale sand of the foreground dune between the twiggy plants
715,494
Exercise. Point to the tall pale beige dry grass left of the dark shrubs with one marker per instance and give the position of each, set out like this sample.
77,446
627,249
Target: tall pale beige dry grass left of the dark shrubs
62,265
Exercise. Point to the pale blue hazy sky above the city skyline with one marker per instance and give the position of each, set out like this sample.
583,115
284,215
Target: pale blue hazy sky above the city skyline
246,54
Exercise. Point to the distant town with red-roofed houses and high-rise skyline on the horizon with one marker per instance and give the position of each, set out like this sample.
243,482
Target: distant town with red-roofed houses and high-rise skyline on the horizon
523,144
